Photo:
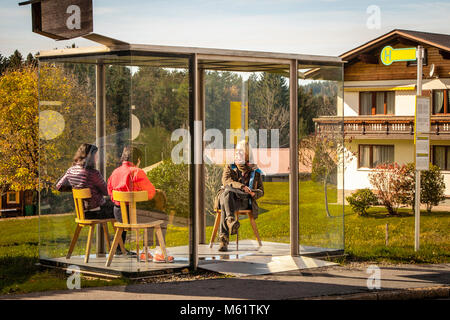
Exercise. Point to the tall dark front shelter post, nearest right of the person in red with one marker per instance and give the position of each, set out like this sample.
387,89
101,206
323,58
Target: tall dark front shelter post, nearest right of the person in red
194,168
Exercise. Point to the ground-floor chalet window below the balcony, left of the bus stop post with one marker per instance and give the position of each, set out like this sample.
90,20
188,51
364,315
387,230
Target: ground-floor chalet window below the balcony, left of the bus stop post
371,156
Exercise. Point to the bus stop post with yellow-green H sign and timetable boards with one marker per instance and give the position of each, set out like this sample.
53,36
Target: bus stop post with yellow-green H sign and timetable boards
422,122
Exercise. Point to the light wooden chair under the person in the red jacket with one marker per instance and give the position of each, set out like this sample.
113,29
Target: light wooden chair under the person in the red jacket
129,222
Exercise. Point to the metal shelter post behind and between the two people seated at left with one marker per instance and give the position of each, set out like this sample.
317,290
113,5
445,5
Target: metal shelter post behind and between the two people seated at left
100,132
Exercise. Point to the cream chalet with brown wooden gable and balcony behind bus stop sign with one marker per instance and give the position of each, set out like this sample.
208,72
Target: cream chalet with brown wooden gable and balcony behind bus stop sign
379,104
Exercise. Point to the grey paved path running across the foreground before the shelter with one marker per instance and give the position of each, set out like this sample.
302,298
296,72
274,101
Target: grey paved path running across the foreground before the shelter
310,283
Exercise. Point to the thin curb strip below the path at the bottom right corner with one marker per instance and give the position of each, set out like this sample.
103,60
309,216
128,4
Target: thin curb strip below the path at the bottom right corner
399,294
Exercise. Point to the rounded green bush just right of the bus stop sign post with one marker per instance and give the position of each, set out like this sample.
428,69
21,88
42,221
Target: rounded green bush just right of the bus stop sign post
432,187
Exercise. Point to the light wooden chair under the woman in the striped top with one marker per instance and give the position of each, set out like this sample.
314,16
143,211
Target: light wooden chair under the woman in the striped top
78,196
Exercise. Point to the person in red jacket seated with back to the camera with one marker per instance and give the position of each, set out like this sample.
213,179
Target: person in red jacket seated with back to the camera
129,177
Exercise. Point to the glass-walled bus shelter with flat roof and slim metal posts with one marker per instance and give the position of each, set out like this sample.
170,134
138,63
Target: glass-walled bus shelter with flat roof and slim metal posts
185,109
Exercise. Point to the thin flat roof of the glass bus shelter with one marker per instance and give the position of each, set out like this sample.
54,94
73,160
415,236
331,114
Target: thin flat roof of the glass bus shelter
119,52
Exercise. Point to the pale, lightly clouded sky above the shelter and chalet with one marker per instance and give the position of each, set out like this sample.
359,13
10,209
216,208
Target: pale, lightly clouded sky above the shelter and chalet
322,27
